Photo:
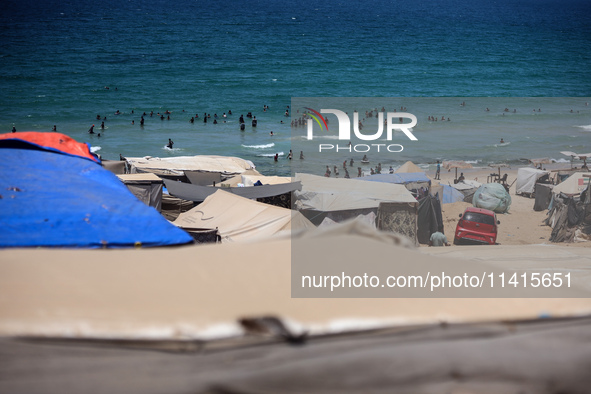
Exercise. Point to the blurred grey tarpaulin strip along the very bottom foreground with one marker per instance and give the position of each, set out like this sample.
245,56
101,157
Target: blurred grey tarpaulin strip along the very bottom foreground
537,356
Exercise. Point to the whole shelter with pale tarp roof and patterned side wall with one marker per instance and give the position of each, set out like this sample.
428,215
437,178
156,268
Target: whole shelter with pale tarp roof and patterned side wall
341,199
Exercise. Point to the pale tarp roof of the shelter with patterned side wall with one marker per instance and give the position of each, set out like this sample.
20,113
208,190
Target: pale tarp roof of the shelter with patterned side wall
339,194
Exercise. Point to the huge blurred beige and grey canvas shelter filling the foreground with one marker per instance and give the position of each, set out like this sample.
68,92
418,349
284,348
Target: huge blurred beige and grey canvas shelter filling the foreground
214,319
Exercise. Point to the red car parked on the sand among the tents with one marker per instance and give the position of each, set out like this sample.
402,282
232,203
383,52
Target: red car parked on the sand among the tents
477,226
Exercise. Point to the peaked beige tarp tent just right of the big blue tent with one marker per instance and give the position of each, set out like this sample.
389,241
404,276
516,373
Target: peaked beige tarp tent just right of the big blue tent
240,219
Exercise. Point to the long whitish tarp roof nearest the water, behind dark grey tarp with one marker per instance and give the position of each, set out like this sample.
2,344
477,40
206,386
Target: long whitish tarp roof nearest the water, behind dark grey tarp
224,165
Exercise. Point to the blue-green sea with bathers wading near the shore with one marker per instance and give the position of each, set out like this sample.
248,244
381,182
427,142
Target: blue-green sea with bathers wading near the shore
517,70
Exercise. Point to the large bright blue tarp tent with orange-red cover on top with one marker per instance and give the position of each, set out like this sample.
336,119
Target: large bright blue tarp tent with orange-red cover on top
54,198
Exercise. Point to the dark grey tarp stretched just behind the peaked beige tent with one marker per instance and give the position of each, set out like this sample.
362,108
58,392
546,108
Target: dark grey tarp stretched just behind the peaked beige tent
197,193
